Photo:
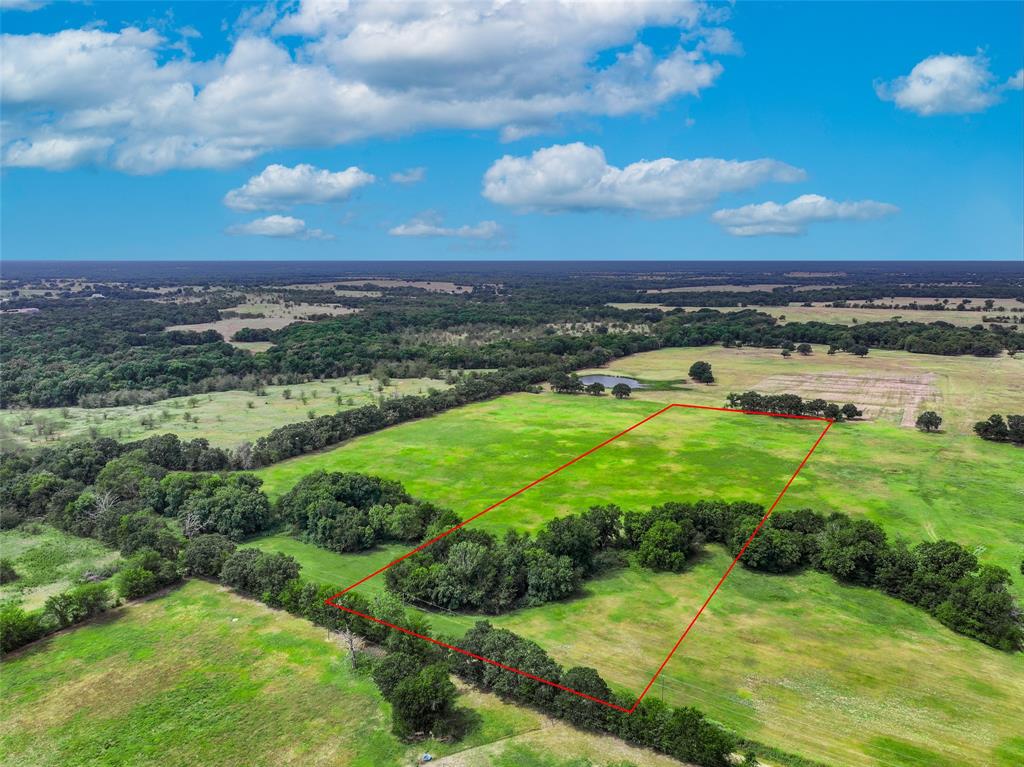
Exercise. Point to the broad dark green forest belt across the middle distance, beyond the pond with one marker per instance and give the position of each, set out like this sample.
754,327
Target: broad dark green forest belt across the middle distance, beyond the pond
77,351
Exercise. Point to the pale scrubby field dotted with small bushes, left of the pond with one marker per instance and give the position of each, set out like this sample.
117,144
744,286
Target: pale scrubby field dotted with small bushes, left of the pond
225,418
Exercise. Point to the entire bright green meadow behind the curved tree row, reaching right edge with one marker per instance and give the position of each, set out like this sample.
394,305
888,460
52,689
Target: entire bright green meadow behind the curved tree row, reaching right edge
922,487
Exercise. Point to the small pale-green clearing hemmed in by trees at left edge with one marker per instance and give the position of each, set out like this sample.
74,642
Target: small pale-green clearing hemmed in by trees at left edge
48,562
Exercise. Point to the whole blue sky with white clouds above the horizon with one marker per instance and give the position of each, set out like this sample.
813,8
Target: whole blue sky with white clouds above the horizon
680,132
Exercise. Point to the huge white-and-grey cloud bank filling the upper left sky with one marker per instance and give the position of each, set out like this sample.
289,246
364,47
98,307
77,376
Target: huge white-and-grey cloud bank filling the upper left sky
330,73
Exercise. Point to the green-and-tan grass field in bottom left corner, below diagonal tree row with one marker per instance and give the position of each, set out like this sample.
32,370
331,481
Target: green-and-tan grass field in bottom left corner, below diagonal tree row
201,676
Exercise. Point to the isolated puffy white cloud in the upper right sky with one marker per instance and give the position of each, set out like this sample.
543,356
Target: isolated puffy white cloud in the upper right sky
948,86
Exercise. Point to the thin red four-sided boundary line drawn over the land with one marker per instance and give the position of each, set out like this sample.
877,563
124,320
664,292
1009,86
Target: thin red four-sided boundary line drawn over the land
421,547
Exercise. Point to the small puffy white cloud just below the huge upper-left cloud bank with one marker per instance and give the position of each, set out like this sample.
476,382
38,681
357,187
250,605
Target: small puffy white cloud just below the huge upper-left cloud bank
281,187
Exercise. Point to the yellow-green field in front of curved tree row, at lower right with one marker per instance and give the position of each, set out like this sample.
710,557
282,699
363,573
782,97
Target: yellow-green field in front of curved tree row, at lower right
845,675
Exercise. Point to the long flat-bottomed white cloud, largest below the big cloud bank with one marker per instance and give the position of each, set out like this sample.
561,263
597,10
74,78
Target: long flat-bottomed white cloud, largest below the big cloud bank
577,178
